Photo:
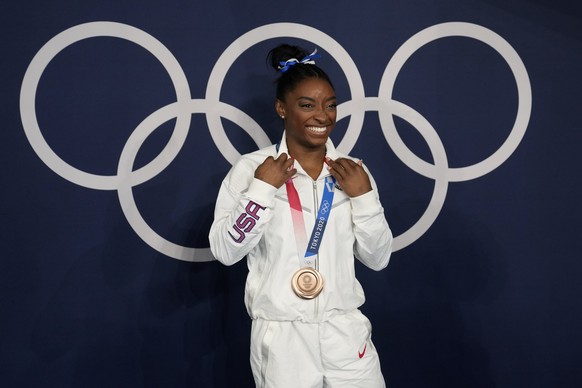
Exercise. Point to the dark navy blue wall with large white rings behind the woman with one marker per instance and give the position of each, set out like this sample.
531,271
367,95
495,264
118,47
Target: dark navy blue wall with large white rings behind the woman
120,119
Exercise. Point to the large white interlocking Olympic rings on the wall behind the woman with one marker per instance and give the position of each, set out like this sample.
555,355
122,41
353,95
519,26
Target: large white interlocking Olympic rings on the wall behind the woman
214,109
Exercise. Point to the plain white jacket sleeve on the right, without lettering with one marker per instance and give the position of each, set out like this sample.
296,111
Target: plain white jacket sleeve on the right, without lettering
373,245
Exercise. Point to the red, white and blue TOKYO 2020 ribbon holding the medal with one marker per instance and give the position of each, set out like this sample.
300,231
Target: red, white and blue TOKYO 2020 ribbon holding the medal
320,222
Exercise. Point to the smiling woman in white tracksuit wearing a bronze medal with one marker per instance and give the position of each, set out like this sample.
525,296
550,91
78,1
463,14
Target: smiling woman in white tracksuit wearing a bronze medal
300,212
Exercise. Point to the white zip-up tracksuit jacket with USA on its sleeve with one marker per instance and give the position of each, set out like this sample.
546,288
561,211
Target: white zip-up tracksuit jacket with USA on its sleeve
253,219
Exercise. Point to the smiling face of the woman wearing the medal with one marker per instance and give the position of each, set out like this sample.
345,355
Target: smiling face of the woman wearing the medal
310,113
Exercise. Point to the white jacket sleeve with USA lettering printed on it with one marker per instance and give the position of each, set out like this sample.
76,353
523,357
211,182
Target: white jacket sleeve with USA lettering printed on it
243,209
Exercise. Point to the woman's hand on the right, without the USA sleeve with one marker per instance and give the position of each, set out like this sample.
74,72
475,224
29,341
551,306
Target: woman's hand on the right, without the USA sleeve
350,176
